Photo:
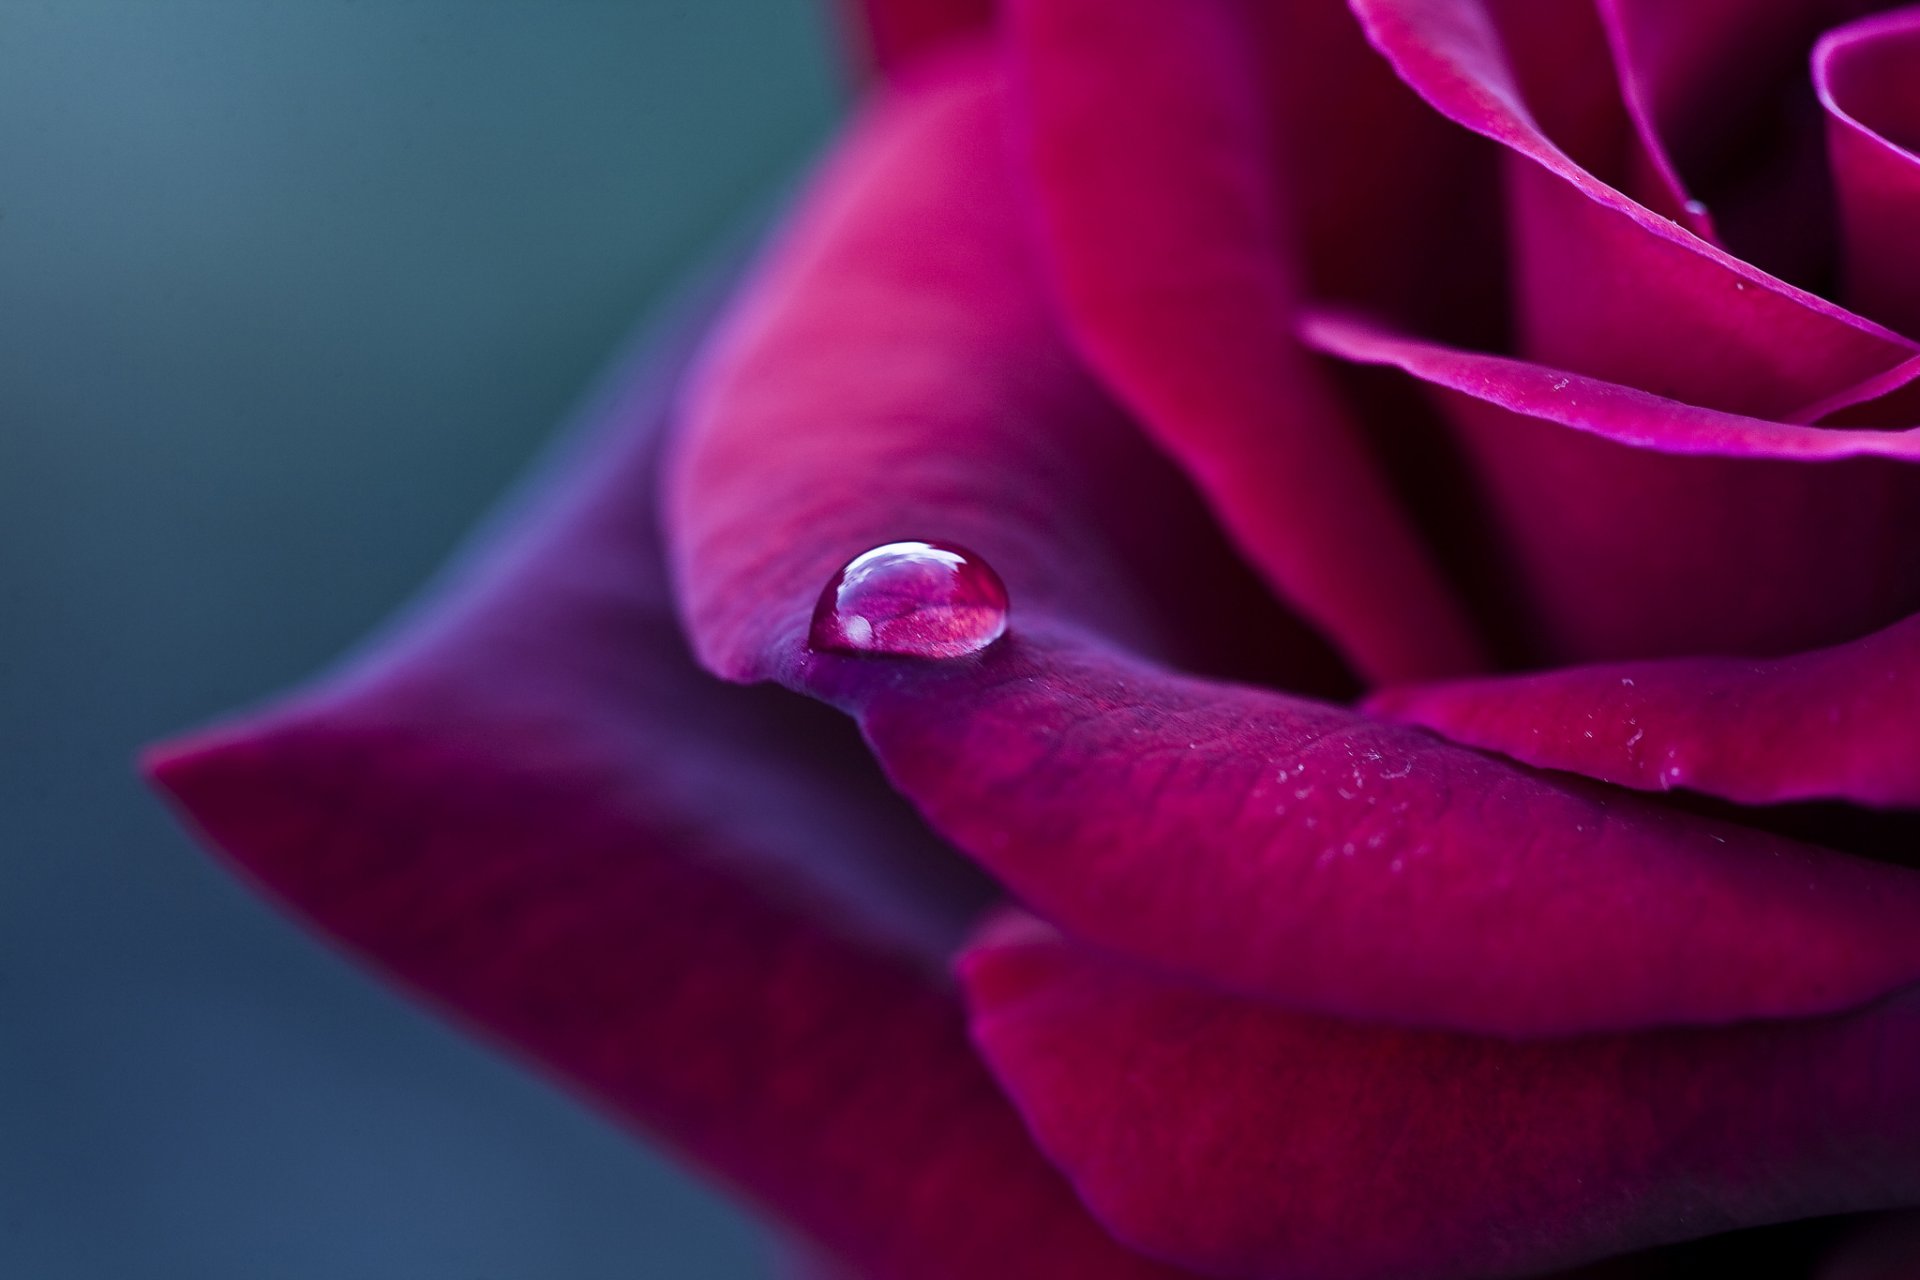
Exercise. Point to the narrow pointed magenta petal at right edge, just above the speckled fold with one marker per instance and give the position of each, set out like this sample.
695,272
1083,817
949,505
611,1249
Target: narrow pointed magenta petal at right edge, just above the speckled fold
1835,724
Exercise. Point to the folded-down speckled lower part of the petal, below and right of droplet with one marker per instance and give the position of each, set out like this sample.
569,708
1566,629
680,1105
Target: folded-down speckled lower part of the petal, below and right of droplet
1324,861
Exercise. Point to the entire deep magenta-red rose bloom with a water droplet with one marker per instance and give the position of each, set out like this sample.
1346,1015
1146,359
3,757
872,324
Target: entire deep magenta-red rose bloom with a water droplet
1416,437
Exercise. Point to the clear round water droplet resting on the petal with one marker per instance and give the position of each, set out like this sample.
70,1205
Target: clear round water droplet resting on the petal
911,600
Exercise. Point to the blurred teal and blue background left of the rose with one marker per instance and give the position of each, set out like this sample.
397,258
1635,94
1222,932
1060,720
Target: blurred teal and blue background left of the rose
289,293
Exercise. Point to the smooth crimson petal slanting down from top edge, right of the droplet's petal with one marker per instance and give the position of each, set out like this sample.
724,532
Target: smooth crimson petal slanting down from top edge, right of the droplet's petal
1143,130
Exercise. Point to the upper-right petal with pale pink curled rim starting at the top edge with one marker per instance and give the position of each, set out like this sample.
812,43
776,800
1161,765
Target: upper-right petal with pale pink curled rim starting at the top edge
1696,323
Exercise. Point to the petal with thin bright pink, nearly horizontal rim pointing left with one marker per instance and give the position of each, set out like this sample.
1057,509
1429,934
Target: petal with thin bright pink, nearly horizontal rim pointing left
1660,529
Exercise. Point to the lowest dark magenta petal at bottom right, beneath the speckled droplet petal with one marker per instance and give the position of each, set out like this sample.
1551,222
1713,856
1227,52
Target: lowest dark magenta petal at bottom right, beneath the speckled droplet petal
1245,1141
